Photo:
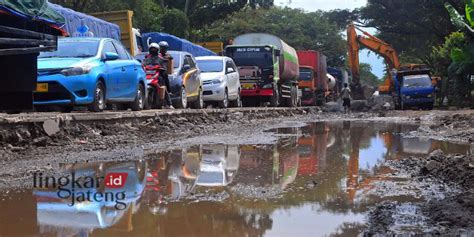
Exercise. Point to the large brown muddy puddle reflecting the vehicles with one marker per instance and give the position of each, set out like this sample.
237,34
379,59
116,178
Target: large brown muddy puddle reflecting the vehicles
316,180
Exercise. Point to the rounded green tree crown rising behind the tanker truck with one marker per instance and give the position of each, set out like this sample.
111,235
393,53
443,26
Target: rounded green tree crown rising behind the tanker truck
299,29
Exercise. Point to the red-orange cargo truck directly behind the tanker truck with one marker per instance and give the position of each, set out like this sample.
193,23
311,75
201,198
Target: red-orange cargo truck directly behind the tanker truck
313,79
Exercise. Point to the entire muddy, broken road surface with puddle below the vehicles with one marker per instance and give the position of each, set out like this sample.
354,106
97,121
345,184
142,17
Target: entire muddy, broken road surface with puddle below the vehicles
299,173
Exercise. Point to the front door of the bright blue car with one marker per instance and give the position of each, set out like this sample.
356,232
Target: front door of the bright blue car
113,72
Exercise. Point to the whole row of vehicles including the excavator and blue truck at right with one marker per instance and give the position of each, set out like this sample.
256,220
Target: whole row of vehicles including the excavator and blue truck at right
97,67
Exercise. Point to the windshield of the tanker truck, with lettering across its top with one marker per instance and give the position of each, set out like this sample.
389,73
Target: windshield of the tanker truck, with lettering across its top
255,56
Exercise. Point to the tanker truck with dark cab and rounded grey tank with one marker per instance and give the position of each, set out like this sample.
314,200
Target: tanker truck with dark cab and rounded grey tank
269,70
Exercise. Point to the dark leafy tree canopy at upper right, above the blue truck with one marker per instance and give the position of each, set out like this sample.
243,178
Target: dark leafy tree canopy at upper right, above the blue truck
413,27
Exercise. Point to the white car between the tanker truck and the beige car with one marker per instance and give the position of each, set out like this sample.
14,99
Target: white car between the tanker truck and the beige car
220,80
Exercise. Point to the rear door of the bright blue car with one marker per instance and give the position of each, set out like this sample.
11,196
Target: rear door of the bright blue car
128,82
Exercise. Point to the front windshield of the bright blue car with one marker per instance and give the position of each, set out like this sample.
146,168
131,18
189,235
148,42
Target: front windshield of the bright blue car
73,49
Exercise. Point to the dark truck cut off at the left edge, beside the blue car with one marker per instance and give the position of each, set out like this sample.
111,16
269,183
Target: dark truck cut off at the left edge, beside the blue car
26,29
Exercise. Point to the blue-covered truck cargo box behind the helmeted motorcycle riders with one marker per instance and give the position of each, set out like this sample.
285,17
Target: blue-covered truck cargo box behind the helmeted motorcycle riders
176,44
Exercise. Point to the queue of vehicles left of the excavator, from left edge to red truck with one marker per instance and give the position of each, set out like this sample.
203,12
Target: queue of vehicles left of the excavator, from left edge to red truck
97,67
